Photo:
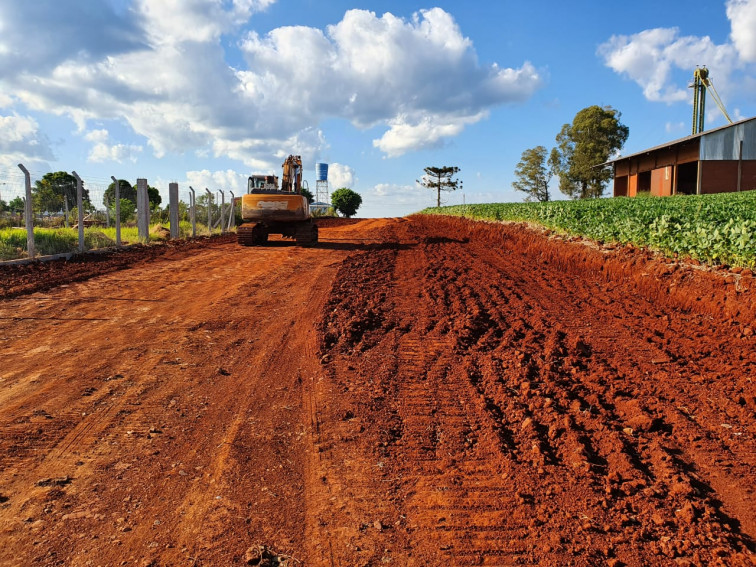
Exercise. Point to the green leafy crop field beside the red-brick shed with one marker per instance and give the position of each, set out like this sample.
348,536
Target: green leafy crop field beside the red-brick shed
716,229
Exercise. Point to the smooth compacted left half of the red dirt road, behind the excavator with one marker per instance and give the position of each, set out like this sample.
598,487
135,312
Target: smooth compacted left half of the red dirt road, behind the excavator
176,430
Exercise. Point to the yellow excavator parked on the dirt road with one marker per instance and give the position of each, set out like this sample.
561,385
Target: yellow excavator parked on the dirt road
266,209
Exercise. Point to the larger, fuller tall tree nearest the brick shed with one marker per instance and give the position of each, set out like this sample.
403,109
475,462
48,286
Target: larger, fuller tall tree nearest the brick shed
594,135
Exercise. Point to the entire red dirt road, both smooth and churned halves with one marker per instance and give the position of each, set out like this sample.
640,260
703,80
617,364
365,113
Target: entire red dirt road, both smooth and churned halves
410,392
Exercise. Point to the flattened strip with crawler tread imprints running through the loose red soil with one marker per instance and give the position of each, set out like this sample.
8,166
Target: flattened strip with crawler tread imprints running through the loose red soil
458,473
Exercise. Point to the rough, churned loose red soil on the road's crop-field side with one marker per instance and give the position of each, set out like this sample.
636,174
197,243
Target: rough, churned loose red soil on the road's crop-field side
570,447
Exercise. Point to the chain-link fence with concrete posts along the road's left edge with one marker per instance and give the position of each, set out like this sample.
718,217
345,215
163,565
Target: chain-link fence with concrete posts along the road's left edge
46,213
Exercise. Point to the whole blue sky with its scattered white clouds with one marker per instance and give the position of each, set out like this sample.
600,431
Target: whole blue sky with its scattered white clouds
206,92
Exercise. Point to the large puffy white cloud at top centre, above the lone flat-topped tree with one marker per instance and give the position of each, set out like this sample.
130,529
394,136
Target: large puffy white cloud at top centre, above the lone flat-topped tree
420,77
